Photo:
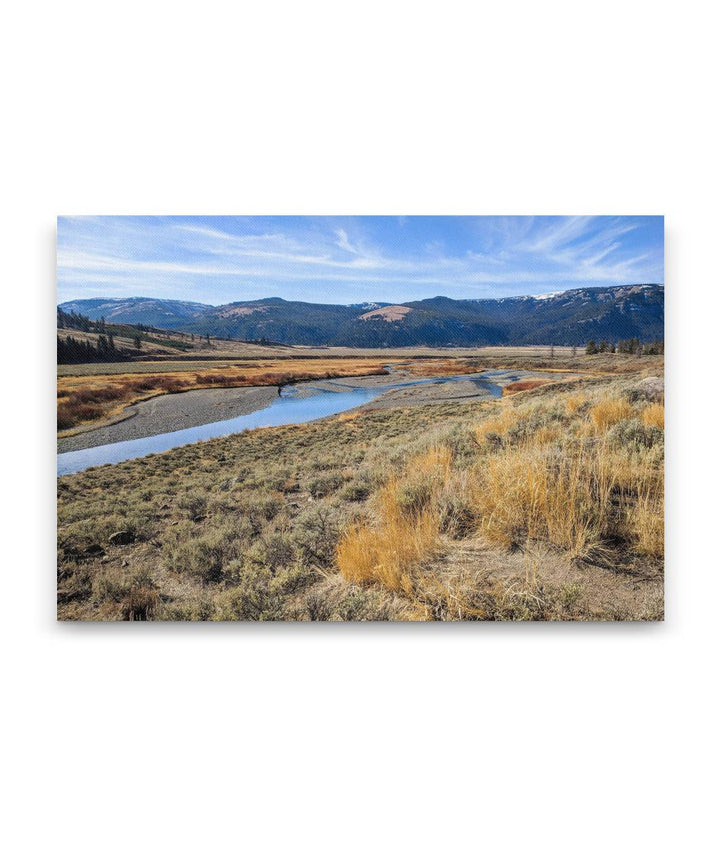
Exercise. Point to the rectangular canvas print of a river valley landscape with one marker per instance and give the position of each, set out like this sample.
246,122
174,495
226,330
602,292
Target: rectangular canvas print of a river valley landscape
360,418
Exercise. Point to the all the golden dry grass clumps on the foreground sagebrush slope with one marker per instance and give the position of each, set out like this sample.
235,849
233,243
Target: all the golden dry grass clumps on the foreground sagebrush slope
545,472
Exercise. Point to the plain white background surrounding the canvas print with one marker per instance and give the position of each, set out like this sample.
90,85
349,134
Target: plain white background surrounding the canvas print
359,739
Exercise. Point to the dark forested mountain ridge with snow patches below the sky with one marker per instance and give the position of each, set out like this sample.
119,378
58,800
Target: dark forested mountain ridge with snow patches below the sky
569,317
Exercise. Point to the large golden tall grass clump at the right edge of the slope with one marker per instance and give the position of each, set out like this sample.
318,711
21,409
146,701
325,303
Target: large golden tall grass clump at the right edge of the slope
585,484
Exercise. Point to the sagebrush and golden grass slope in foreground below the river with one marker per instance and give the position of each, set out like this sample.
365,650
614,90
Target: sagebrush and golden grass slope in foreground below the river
544,505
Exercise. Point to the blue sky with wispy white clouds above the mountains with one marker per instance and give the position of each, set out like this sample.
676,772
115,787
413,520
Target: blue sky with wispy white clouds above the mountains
351,259
